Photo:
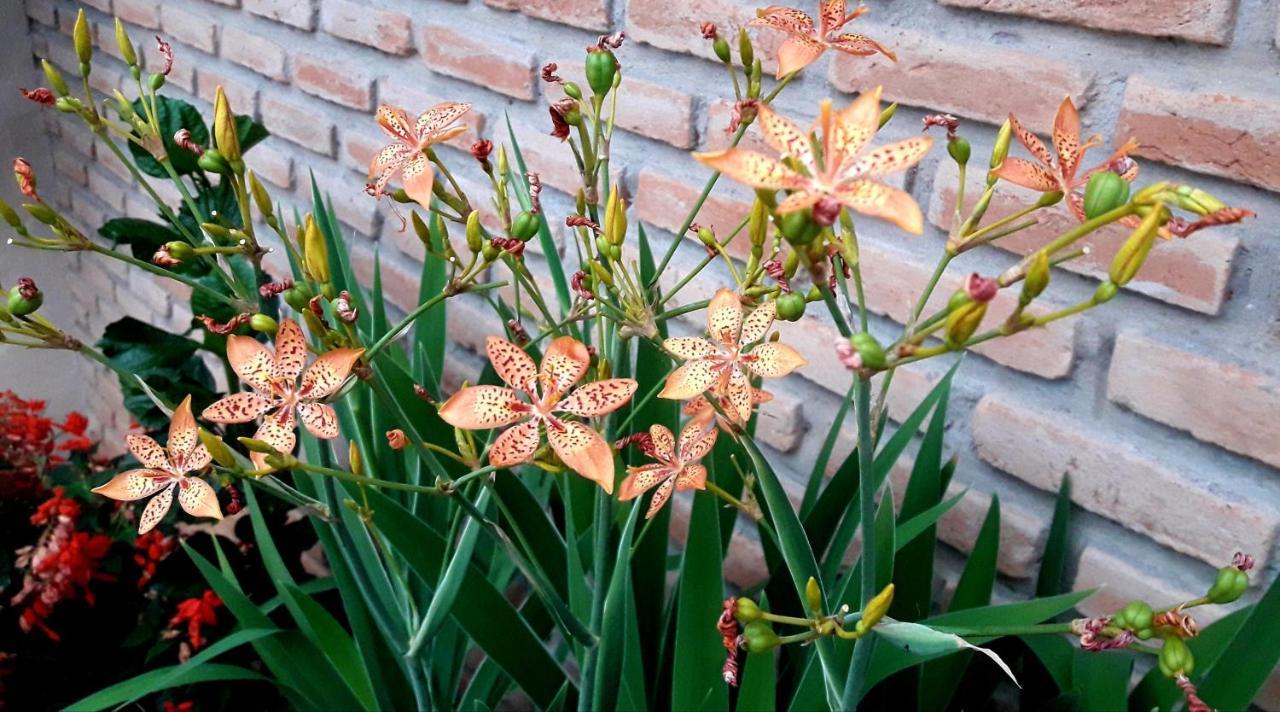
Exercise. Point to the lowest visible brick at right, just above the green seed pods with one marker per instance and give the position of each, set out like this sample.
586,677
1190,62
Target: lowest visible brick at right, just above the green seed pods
1118,582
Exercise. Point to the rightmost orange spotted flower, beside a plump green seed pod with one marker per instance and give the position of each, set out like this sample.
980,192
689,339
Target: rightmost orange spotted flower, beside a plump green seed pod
1060,174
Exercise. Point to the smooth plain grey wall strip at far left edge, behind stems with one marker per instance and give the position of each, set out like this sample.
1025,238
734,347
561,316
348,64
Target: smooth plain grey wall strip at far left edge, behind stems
34,375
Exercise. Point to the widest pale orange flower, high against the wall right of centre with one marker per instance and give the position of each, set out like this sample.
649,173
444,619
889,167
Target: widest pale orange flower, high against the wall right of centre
845,175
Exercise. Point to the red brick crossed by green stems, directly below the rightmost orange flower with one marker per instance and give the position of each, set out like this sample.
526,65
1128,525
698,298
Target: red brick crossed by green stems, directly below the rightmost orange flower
1188,273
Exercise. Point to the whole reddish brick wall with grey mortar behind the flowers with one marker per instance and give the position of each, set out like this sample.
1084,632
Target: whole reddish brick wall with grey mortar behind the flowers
1163,407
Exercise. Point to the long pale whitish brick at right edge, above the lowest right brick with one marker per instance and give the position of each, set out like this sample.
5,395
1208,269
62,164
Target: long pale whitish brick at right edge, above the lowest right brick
1119,482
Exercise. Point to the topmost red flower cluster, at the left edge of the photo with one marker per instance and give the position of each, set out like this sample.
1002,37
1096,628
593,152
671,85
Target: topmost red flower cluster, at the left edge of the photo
30,444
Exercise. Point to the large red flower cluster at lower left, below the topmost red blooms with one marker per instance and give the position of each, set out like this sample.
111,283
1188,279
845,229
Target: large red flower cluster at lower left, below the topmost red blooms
61,565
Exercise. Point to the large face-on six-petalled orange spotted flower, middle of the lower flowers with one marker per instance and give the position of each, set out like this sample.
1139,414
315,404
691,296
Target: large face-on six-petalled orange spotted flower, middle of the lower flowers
548,400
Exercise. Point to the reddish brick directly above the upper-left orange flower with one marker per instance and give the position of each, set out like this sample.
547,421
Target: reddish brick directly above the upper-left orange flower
488,62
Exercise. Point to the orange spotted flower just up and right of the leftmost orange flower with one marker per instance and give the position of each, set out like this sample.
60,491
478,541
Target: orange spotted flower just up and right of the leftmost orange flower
276,389
